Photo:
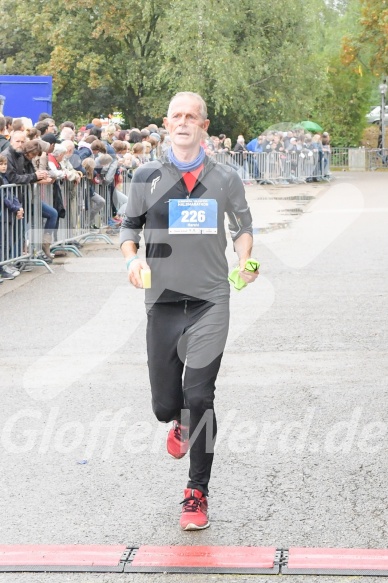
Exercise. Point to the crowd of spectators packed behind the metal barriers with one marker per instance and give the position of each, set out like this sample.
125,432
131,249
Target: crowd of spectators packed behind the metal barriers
105,153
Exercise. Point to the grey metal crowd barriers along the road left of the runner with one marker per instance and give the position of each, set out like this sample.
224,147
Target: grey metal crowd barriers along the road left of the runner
21,239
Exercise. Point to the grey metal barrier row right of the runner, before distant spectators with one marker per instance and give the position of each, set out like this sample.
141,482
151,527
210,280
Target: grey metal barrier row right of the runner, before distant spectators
278,167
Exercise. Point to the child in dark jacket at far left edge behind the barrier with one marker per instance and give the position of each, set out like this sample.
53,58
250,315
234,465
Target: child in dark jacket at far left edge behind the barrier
9,206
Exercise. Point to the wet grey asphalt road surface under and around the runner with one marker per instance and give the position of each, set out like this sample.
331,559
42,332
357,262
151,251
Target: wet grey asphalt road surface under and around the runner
301,399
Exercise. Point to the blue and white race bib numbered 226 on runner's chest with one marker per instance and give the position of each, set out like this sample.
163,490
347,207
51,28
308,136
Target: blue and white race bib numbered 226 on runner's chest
192,216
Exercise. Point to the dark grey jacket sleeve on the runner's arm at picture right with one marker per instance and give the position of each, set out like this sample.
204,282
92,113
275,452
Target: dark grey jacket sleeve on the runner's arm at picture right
237,209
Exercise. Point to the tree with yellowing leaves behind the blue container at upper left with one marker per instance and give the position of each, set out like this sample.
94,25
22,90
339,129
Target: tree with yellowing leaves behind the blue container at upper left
101,55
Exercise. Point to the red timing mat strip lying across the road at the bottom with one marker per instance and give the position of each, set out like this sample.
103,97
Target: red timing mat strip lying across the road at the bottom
192,559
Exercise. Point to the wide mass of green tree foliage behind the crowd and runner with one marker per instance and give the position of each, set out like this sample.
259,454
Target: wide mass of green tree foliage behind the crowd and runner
256,63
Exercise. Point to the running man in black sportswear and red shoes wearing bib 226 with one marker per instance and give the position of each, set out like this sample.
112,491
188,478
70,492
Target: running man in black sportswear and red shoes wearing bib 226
179,203
